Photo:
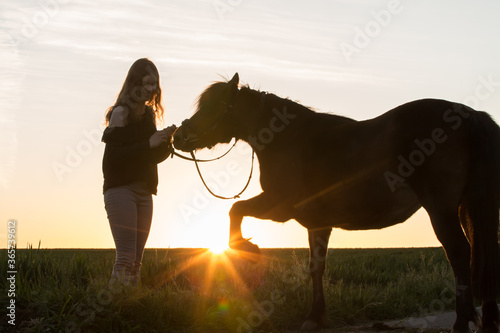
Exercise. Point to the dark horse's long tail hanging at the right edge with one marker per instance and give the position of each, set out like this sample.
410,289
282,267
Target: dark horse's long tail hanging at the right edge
479,211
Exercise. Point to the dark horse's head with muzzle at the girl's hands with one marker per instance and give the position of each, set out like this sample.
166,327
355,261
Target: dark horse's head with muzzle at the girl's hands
212,122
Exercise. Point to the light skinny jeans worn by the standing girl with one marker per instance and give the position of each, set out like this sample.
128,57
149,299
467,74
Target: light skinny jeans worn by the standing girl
130,211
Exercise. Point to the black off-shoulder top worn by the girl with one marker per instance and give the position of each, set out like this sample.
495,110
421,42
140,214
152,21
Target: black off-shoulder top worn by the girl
128,157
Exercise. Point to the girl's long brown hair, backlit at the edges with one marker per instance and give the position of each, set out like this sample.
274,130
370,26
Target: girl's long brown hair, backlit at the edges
134,91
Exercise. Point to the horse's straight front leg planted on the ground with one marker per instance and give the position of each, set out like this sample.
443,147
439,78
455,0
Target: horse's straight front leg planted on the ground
318,247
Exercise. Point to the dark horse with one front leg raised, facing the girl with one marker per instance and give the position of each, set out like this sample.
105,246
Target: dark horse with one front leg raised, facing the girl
328,171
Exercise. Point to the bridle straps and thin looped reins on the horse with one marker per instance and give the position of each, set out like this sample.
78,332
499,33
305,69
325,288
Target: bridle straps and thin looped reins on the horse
229,109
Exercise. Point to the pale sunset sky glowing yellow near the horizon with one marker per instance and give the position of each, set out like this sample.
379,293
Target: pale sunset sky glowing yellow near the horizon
62,63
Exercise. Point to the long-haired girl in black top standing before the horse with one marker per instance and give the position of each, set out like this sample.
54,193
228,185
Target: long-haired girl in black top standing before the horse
133,149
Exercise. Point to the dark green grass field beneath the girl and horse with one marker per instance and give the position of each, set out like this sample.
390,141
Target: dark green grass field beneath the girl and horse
187,290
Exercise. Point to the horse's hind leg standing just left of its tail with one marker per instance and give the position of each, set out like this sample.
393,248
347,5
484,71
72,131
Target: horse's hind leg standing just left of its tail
448,230
